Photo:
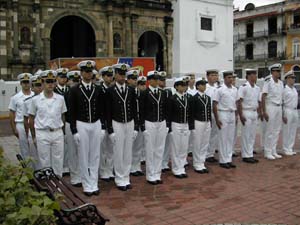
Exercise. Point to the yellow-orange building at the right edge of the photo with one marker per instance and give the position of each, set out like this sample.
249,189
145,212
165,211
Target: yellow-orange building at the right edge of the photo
292,23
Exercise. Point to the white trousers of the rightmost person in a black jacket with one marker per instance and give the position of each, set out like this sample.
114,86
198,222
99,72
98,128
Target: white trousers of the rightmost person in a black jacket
201,136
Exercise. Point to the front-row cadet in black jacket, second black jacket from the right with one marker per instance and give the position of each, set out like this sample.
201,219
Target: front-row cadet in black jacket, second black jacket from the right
178,121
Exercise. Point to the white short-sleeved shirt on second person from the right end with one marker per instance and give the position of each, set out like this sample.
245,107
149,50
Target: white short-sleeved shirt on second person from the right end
274,91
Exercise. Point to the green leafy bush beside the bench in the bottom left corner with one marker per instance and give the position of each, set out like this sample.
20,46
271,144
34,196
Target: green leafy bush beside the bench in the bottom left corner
20,203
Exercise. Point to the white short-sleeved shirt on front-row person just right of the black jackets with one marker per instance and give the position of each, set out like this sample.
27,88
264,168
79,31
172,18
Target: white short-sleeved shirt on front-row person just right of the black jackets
226,98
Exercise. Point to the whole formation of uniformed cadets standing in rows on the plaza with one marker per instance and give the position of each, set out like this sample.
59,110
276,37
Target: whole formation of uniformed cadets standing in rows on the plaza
105,130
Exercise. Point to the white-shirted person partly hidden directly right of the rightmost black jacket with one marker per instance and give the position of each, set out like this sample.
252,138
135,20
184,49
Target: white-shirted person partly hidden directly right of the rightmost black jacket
211,87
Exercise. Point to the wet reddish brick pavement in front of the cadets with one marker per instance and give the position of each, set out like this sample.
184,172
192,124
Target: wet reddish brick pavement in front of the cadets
263,193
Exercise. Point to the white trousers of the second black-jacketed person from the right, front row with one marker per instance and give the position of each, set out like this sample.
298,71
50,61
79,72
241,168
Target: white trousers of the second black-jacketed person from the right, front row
179,147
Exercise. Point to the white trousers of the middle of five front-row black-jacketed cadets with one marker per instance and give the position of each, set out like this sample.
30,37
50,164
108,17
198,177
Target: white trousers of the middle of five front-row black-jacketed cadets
155,138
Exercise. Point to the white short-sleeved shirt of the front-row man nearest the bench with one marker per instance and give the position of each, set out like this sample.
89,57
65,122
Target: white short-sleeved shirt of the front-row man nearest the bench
48,111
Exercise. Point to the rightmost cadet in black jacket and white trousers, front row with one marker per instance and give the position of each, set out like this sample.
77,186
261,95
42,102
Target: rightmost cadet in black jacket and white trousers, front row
201,126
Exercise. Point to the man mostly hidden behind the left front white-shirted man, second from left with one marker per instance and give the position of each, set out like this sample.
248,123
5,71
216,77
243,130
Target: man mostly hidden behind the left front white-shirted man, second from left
37,88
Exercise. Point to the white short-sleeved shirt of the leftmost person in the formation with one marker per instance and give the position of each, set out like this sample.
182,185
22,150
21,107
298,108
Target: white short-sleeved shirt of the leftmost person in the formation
16,105
